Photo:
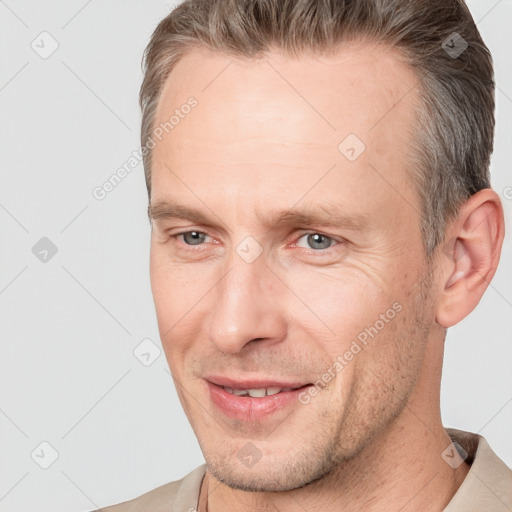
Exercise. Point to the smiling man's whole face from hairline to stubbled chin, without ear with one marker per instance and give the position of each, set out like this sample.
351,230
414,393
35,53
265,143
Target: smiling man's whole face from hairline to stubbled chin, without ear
300,251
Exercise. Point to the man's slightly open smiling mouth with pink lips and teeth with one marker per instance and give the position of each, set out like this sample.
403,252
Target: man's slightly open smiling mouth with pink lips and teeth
253,400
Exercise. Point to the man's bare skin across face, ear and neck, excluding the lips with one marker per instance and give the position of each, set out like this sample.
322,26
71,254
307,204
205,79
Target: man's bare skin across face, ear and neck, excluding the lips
264,137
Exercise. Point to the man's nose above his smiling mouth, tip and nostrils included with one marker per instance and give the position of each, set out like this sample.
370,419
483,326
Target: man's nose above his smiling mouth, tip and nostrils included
246,308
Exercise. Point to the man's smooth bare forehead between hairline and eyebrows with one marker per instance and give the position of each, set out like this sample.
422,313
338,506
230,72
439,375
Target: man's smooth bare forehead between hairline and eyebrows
279,123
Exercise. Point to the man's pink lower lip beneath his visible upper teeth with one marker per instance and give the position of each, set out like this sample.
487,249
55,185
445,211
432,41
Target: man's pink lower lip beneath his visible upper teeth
247,408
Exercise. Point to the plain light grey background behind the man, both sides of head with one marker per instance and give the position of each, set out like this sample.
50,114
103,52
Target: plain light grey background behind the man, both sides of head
68,375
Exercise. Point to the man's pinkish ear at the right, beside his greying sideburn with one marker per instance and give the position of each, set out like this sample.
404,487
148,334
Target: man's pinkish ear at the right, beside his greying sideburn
470,257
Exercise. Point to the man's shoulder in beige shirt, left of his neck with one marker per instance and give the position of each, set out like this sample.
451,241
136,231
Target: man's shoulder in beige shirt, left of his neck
178,496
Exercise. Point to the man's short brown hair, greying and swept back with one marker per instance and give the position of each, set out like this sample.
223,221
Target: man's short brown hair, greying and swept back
453,136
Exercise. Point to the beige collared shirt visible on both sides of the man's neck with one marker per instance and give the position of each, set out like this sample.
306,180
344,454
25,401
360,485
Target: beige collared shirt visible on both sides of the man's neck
486,488
